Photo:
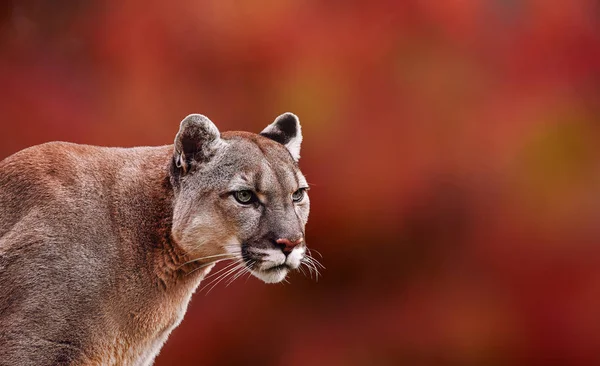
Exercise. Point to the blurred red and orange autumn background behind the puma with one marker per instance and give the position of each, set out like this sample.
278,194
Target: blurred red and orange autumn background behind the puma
452,148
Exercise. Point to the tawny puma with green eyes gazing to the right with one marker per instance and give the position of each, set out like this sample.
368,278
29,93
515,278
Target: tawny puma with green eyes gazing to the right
102,248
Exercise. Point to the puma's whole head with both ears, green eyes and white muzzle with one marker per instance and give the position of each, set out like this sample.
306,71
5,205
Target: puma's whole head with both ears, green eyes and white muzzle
242,197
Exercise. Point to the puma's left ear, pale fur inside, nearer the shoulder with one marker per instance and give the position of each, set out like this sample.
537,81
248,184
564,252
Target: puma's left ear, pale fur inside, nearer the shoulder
195,142
